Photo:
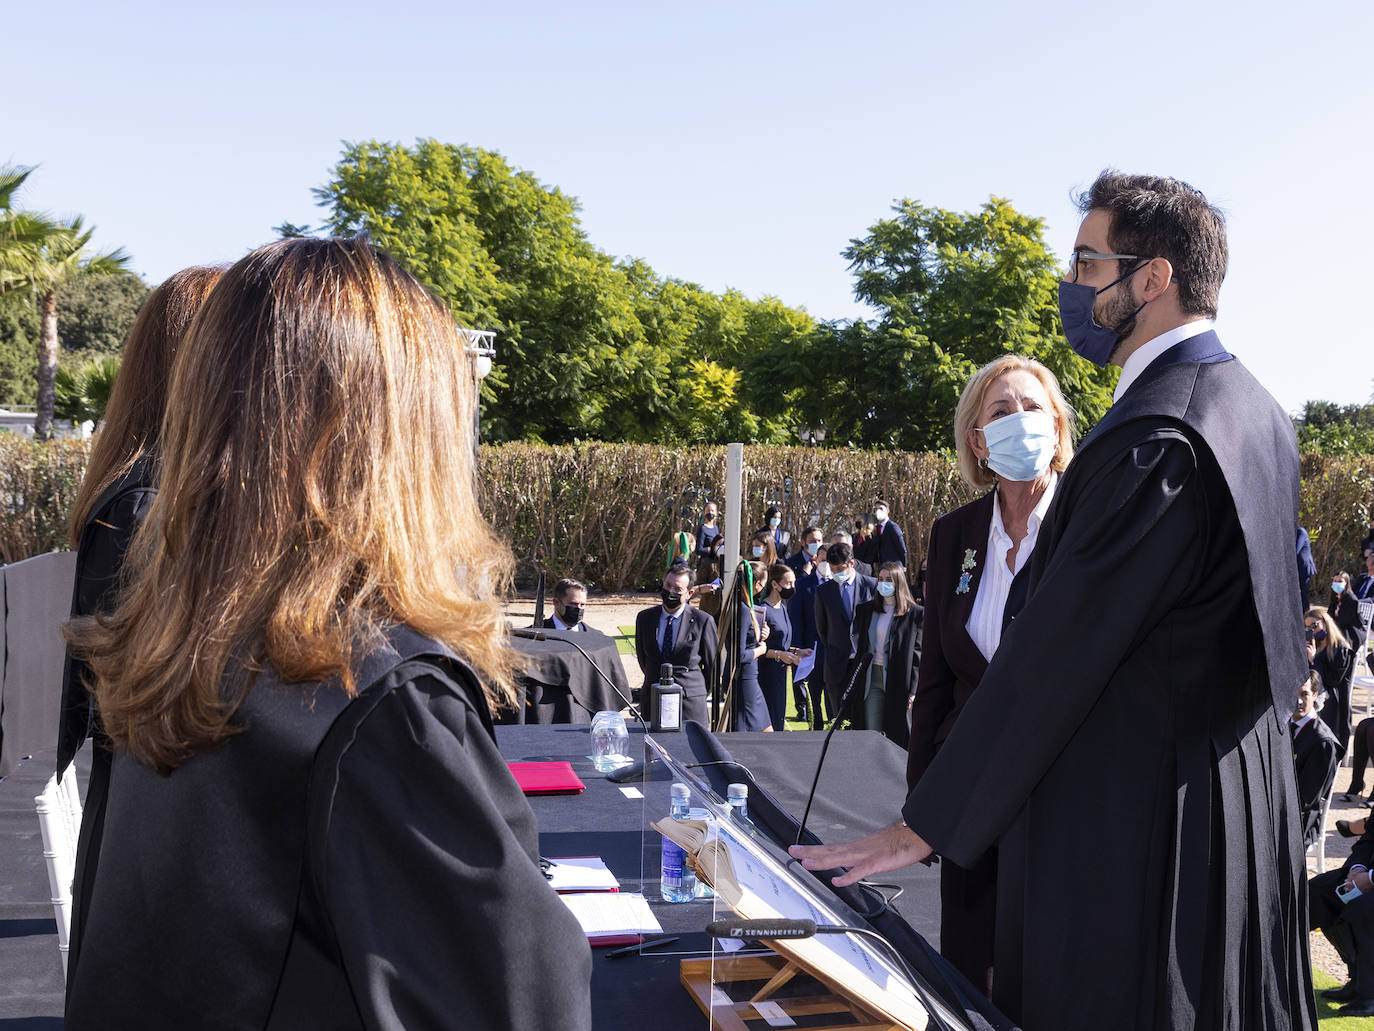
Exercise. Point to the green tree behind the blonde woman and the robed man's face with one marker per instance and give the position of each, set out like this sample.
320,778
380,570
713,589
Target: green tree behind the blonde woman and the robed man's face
953,291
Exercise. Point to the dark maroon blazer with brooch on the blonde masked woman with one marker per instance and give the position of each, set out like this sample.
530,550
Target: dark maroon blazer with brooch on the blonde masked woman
951,665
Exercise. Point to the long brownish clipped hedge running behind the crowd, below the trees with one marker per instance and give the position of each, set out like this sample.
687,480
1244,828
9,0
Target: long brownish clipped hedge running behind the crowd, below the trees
604,513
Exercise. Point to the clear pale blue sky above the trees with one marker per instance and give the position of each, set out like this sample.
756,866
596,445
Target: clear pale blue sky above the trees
734,144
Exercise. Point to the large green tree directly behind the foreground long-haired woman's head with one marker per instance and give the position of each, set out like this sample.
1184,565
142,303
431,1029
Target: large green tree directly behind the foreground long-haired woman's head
589,347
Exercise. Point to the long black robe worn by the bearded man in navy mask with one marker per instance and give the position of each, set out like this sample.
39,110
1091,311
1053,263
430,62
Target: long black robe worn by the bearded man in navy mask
1126,749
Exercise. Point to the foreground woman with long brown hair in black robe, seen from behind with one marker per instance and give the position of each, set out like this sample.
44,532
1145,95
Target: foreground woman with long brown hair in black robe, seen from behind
310,824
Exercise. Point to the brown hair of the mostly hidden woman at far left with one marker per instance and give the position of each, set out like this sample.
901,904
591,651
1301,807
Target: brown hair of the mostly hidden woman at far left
134,416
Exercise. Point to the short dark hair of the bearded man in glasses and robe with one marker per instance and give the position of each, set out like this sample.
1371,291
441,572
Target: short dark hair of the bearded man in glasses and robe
1155,217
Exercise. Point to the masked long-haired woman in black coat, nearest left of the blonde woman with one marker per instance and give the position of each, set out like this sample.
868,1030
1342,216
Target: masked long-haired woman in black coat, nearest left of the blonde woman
888,628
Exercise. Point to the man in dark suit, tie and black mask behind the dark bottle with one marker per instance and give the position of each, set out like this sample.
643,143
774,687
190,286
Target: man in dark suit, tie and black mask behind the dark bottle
686,636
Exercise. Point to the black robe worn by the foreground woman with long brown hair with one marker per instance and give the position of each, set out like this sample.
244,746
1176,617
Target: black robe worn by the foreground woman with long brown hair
341,864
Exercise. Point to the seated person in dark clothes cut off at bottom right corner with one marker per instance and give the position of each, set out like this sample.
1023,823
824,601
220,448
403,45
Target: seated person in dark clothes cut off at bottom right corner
1342,907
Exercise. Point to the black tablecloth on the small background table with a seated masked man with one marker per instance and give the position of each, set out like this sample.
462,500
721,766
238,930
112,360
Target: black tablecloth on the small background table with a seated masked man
561,685
